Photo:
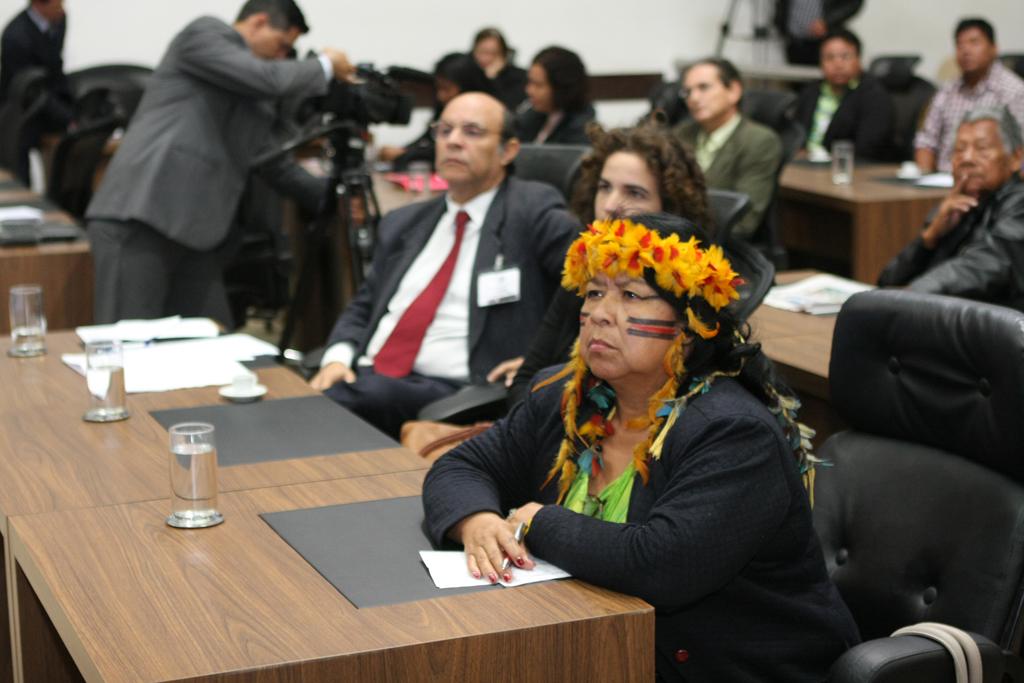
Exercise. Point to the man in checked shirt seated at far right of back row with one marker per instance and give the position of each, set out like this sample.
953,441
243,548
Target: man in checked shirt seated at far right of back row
985,82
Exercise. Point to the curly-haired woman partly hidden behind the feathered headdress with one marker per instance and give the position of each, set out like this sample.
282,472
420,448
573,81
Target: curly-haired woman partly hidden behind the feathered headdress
630,170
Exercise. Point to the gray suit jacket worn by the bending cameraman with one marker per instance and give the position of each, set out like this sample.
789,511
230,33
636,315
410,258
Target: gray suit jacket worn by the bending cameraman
207,114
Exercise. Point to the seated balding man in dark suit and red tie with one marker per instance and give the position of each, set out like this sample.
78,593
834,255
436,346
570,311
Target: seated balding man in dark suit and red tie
459,284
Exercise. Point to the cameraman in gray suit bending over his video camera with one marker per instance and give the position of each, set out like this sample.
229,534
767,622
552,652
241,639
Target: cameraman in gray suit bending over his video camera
173,190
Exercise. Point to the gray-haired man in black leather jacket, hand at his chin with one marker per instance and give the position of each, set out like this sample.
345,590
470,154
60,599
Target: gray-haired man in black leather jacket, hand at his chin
973,245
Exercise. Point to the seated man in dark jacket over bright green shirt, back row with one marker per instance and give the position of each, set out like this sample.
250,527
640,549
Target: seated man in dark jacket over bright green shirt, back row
846,105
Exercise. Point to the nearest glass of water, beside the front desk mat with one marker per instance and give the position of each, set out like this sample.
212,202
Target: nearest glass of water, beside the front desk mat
194,477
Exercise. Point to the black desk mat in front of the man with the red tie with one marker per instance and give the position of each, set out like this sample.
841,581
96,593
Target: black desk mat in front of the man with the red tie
281,430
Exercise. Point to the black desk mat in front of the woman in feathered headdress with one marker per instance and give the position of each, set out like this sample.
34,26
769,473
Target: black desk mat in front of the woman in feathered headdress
369,551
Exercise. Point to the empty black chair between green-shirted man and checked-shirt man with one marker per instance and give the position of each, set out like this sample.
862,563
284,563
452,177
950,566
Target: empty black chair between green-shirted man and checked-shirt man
911,96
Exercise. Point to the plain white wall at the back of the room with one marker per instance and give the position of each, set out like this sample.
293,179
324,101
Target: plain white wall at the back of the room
623,37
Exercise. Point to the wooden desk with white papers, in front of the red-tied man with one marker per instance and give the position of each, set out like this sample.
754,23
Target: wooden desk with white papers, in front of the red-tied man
52,460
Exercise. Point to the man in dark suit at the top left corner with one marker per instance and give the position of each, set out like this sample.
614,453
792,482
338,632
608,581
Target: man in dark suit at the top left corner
35,38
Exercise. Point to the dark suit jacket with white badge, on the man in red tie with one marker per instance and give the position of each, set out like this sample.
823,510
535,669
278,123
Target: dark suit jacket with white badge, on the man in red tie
527,223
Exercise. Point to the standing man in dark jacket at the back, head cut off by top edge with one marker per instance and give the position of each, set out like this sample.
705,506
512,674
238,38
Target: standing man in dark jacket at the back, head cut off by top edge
804,24
